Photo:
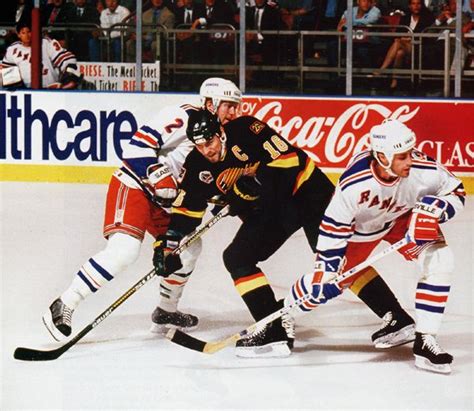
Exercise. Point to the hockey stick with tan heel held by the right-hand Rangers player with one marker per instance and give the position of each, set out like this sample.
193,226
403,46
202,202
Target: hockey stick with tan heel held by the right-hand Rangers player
211,347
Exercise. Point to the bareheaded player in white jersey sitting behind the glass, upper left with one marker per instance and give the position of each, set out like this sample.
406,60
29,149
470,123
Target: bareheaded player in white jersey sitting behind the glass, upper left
59,66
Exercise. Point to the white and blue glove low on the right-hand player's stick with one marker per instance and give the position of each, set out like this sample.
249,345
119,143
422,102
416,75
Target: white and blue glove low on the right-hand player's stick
319,285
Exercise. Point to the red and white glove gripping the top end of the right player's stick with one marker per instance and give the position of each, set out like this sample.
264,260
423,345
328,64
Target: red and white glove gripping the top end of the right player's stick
423,226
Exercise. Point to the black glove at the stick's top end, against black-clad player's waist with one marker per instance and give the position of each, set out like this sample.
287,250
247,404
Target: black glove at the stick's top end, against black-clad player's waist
243,195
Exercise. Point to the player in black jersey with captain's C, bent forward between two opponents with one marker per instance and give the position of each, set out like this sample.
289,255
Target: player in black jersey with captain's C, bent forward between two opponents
274,187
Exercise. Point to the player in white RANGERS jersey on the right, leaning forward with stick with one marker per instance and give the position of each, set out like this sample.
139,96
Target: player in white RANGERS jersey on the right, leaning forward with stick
383,193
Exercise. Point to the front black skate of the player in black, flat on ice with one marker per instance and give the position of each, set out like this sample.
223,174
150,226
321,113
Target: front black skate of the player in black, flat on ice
272,341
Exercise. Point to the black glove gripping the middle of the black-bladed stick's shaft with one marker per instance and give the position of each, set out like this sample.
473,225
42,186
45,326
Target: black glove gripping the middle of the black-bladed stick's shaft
164,262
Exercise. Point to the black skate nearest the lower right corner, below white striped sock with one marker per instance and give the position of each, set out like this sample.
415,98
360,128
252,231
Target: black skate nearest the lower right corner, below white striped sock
430,356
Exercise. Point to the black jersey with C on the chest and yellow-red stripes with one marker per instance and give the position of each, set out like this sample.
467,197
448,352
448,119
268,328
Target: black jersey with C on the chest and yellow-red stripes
252,148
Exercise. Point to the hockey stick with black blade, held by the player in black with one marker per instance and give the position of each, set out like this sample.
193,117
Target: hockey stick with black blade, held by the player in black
30,354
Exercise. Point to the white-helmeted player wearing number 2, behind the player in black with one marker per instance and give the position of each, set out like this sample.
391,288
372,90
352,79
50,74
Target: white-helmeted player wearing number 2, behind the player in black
139,197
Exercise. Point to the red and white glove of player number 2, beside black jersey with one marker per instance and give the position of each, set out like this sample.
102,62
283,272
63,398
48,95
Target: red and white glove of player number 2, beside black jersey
162,184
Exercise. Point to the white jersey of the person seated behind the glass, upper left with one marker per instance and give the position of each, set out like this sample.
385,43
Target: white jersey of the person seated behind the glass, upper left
55,59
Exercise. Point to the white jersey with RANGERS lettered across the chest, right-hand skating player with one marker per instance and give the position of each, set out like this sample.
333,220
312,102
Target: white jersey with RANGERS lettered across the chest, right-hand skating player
364,208
